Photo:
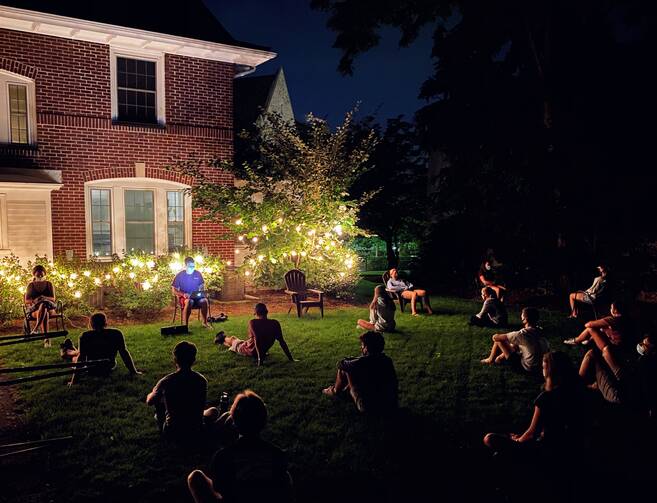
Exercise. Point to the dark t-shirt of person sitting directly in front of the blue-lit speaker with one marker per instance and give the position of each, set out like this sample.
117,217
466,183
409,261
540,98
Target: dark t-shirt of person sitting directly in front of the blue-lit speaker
183,393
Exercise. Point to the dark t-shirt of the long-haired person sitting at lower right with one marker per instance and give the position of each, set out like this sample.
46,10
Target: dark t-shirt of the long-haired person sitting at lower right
565,414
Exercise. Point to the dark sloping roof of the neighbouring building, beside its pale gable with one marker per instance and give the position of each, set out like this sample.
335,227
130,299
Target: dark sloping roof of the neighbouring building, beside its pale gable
251,95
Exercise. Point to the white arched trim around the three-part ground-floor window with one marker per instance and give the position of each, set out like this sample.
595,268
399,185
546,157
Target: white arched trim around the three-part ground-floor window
117,188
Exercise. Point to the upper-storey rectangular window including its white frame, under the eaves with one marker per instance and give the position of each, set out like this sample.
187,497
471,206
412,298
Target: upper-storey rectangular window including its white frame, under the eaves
137,87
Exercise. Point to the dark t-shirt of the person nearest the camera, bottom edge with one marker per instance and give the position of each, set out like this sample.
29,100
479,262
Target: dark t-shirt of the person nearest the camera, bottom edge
252,470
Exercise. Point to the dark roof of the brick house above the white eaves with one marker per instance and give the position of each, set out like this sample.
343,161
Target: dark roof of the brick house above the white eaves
183,18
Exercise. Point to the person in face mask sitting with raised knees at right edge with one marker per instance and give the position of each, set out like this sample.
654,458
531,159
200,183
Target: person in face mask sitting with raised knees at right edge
625,381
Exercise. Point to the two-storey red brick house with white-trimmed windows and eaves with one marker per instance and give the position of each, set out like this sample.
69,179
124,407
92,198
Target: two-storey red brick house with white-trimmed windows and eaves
94,104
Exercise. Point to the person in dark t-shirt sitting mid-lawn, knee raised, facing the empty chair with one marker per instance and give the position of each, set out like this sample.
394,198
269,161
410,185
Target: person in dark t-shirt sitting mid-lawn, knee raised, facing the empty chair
370,379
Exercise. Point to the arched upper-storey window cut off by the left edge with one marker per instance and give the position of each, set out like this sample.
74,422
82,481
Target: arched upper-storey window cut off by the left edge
17,109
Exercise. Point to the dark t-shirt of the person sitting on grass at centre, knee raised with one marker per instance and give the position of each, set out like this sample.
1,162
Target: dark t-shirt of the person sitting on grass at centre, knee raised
374,380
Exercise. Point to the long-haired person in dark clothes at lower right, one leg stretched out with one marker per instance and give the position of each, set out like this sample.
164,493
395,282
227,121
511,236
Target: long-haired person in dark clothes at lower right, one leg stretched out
562,412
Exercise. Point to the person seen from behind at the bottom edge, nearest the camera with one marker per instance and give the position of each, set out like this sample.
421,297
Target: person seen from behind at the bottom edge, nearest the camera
251,470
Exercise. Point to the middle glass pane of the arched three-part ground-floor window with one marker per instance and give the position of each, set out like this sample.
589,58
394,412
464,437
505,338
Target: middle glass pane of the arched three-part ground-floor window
139,221
